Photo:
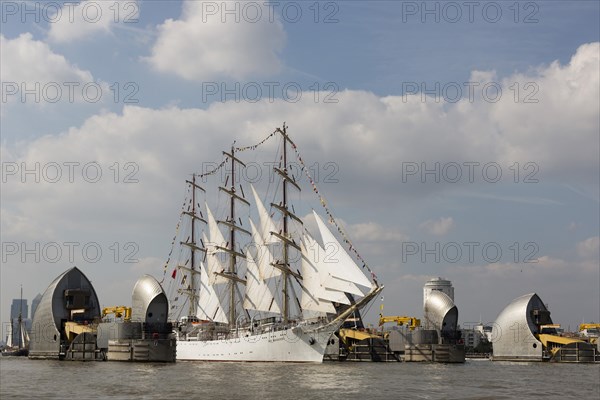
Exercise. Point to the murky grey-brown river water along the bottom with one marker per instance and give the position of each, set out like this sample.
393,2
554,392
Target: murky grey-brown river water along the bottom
477,379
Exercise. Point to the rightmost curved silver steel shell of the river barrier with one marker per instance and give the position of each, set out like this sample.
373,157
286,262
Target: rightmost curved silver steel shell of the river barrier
513,333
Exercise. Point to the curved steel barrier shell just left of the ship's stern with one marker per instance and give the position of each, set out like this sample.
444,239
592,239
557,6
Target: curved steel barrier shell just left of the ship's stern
149,302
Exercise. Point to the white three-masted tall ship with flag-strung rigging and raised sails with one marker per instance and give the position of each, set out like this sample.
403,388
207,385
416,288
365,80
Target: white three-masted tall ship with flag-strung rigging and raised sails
249,281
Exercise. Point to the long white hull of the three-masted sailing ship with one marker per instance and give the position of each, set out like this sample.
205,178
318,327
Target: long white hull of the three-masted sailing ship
304,343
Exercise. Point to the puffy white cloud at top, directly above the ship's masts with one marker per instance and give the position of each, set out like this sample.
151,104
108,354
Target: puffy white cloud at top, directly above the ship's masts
201,46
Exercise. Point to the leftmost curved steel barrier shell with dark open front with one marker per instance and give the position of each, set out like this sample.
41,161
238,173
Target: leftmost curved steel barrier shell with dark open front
56,306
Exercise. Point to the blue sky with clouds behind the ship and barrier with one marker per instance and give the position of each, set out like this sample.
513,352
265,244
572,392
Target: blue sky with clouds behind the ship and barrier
453,139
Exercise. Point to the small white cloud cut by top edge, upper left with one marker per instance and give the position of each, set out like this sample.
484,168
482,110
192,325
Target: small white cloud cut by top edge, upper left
81,20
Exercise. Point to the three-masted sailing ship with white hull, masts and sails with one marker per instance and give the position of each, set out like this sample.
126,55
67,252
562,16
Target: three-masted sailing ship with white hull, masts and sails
236,295
